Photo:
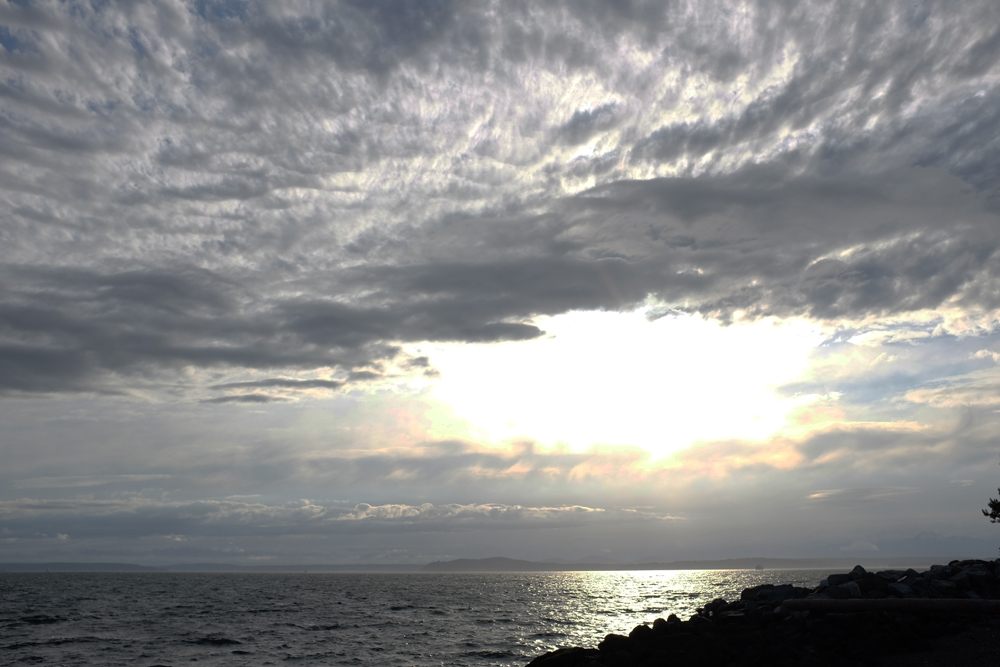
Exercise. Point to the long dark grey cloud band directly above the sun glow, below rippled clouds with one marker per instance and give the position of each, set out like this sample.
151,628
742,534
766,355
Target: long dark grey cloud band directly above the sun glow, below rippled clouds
704,242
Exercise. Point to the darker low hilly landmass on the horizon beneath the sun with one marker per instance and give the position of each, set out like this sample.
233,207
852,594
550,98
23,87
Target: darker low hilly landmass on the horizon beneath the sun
514,565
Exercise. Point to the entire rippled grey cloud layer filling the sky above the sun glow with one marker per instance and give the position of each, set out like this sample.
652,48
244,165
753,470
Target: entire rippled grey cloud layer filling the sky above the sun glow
239,187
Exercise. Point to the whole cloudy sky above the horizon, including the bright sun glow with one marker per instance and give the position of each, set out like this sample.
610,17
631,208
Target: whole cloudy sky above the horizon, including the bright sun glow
389,281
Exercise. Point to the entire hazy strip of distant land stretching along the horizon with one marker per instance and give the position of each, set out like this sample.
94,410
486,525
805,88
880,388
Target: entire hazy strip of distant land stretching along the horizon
497,564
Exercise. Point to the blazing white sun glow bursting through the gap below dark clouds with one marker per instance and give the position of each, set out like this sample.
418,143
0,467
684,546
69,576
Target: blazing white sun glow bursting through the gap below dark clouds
617,378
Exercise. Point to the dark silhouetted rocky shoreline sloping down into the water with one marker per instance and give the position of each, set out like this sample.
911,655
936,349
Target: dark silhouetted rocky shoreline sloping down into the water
762,628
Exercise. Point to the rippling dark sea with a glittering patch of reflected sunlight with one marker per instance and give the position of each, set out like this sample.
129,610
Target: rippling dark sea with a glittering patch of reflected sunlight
148,619
